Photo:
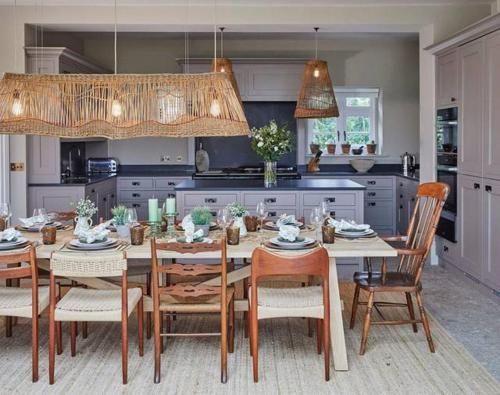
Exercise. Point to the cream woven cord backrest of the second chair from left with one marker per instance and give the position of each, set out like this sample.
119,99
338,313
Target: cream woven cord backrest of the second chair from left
103,264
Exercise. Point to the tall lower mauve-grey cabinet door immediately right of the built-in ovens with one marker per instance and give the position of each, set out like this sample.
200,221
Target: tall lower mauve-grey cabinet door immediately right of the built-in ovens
470,215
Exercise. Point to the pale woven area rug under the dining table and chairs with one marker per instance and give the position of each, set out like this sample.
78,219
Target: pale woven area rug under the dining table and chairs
397,361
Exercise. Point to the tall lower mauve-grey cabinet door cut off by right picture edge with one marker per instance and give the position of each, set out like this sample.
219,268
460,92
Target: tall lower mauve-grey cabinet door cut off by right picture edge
491,263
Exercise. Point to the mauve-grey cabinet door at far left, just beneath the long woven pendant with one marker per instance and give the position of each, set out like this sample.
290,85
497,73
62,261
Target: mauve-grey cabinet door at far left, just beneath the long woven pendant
44,155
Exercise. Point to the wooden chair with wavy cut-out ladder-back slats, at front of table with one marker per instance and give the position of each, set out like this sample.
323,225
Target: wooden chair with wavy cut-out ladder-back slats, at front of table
193,297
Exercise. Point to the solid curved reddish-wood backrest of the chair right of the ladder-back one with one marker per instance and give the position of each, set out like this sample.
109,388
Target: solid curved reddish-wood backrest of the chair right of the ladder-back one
267,264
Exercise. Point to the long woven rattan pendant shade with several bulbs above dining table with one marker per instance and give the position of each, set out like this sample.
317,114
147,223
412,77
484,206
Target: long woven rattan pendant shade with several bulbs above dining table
121,106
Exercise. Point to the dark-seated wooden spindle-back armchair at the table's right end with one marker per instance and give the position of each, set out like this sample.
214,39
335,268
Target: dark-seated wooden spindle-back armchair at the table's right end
413,251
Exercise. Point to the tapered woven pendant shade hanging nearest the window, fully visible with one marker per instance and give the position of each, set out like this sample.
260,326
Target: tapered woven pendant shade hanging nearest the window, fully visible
316,97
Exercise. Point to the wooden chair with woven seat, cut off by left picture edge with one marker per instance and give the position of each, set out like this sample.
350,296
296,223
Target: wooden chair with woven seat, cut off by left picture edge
22,302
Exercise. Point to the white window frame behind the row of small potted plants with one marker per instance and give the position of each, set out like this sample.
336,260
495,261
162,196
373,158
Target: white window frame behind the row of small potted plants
373,112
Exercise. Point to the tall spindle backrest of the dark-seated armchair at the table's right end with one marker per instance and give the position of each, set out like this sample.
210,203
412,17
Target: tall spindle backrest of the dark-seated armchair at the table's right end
422,228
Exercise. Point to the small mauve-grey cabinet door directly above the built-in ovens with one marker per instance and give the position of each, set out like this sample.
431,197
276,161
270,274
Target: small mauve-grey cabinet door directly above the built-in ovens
447,79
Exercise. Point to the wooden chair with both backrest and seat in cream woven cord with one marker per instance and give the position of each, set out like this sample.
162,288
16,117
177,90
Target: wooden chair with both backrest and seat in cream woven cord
93,305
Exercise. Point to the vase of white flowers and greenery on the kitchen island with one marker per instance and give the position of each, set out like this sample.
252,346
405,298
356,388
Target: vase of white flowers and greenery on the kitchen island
271,142
